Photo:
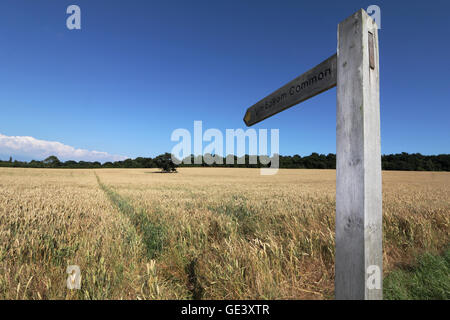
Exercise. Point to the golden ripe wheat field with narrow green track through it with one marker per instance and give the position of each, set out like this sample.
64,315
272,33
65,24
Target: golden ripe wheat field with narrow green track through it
202,233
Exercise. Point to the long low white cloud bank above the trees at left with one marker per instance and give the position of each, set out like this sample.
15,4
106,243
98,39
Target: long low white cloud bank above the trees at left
32,148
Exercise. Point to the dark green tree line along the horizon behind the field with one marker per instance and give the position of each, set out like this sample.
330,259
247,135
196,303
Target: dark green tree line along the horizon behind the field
401,161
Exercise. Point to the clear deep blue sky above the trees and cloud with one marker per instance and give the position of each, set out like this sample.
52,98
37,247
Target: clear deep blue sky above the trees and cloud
137,70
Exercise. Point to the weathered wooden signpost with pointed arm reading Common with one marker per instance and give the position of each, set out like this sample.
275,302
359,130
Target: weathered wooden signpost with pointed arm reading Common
355,72
